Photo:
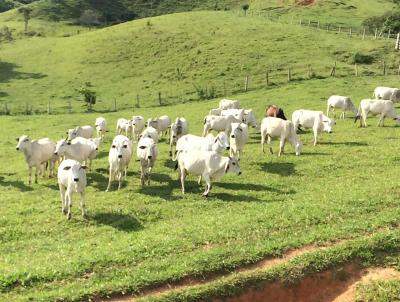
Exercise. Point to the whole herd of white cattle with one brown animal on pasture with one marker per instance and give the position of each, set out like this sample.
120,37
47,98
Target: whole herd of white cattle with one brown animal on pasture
202,156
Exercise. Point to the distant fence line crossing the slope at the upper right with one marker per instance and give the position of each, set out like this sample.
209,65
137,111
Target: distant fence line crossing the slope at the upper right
350,31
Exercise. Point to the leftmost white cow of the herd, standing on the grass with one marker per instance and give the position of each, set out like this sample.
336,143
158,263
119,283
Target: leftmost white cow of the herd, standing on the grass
37,153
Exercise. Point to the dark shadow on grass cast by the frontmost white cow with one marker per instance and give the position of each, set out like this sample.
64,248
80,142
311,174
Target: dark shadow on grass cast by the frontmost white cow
121,222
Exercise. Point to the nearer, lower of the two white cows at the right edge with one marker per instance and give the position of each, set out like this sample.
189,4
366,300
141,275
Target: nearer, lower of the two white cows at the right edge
384,108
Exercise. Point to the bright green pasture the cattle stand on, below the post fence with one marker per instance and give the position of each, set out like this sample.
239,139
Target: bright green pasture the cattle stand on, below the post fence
136,239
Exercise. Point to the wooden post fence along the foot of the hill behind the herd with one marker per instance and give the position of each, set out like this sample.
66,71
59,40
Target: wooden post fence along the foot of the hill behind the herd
272,77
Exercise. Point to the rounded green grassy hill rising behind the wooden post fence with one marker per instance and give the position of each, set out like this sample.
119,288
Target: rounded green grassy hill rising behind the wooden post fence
173,55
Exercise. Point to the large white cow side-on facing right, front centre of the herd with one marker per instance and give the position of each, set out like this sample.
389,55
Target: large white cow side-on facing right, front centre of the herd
207,164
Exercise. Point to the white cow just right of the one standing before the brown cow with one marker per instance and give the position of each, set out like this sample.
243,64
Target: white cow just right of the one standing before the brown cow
316,120
